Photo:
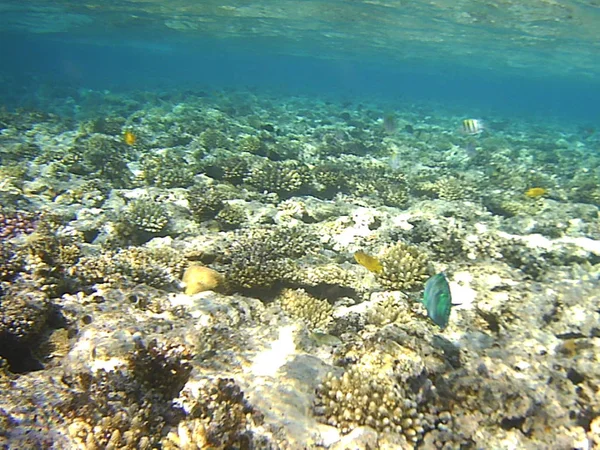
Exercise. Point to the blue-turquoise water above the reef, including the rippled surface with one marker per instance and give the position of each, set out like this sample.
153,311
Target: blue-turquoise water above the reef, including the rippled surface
515,57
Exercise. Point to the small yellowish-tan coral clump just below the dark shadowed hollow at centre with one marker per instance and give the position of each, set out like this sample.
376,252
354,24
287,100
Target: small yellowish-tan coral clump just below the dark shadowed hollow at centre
316,313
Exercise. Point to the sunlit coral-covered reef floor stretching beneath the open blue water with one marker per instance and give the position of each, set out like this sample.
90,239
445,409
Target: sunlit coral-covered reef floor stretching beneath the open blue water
285,342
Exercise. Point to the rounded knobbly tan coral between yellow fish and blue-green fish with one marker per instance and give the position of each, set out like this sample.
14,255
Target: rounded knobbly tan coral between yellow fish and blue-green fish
405,268
